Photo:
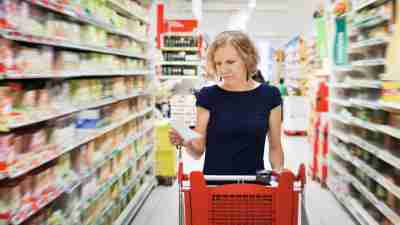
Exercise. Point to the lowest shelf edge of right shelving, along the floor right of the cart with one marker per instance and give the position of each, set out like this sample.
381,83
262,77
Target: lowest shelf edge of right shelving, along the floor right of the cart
352,205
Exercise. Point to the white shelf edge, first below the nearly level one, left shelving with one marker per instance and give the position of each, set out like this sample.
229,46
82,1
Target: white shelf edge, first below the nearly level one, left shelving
30,121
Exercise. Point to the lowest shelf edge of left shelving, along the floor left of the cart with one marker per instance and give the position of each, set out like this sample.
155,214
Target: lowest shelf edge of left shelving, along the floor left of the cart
135,204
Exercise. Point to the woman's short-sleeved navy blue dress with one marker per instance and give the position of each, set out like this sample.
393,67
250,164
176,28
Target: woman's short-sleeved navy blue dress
237,128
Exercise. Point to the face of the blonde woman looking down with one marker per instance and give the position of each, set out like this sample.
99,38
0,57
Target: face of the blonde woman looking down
229,65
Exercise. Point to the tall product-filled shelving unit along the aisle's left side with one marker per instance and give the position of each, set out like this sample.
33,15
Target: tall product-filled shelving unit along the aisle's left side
76,113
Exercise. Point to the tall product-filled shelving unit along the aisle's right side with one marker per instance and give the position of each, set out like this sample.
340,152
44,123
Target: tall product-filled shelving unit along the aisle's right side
364,132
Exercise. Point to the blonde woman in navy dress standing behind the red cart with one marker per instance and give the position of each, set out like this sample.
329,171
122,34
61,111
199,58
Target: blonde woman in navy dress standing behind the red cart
235,116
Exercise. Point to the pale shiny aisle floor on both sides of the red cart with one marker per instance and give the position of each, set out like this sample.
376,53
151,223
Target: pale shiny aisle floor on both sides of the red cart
323,209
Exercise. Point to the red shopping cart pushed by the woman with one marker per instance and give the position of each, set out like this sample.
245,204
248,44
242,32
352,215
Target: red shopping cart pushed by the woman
264,199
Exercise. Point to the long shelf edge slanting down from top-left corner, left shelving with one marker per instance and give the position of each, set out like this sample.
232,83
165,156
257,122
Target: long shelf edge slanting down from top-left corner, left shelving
81,16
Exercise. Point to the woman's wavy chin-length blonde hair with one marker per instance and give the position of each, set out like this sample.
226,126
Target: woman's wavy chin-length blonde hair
243,45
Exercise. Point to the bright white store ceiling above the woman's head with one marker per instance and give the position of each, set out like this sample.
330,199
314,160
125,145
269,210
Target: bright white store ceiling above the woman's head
275,20
